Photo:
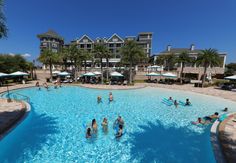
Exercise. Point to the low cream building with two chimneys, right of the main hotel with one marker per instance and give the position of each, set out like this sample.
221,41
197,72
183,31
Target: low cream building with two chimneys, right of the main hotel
192,69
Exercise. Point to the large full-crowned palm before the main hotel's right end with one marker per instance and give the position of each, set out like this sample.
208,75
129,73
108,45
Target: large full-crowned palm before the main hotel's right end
132,54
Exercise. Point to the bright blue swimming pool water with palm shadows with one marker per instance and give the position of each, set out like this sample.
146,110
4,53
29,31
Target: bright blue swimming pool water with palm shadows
54,131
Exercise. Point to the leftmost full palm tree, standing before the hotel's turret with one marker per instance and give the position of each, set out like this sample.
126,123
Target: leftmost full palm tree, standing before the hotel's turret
48,57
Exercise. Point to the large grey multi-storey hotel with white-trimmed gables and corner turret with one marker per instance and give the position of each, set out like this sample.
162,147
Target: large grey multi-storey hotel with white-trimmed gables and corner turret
114,43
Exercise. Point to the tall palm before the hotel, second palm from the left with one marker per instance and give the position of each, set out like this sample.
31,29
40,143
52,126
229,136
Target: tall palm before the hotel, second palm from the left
75,57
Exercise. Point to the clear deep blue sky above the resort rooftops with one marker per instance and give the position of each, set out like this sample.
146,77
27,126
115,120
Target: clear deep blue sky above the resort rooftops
206,23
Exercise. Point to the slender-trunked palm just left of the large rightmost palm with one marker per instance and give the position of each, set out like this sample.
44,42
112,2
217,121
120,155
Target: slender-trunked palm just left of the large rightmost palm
183,59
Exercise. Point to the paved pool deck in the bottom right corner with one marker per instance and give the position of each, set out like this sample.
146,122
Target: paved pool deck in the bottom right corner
227,136
